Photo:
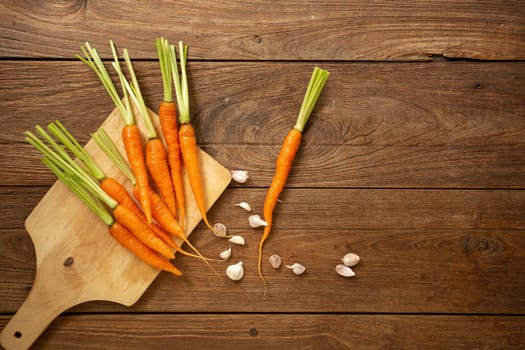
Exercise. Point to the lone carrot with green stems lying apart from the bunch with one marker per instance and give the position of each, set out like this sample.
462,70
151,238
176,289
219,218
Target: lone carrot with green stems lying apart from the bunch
287,154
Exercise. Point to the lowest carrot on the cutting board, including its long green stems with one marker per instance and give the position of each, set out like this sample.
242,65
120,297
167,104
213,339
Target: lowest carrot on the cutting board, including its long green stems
85,190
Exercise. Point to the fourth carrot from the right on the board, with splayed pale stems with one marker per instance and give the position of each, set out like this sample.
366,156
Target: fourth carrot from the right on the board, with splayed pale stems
130,133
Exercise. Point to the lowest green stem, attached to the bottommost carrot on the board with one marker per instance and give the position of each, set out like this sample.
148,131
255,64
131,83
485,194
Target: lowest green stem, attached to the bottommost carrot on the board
80,191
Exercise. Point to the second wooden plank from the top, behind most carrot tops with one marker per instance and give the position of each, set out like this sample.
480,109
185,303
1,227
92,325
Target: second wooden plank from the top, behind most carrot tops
420,125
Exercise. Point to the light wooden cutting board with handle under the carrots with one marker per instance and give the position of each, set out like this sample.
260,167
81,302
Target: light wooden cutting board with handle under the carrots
77,260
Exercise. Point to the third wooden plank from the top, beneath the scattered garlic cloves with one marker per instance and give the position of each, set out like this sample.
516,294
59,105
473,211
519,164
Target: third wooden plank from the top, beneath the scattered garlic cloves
422,251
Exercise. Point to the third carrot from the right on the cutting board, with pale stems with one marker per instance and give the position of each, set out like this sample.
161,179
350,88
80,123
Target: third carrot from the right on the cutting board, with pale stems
155,153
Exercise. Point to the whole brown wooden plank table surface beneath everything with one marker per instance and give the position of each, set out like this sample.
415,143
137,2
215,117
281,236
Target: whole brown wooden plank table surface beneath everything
414,159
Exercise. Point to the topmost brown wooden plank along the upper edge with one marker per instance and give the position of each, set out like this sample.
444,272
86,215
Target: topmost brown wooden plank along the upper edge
289,30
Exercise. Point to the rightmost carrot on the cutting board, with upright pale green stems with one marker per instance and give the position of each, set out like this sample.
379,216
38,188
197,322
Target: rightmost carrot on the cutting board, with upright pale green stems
187,139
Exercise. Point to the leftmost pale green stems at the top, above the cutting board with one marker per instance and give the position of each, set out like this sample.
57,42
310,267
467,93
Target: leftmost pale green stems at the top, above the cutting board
93,60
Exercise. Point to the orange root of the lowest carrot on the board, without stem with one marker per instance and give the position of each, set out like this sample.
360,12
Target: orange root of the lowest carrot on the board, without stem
129,241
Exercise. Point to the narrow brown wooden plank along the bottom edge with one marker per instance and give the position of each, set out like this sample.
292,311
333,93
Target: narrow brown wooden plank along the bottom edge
269,331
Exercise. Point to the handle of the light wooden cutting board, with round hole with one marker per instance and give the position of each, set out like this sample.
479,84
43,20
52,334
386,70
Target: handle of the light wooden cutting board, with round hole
38,310
